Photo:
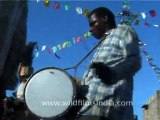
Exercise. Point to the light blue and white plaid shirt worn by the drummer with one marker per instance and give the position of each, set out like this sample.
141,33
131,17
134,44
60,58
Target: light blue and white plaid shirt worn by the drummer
120,52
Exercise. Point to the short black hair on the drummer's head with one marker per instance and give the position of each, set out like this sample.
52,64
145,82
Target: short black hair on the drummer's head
103,11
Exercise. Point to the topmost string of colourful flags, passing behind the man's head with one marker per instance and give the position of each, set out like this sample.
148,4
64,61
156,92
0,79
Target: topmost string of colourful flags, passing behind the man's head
127,16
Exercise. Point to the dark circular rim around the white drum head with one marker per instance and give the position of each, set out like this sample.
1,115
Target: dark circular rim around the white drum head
73,97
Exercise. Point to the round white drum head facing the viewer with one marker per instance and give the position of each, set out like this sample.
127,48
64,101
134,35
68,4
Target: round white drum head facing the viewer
49,93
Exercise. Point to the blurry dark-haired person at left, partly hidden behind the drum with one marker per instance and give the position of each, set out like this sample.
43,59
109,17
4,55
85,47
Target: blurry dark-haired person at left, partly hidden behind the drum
25,71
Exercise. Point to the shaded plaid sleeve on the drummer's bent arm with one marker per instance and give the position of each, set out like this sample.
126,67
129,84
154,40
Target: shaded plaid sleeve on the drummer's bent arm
132,59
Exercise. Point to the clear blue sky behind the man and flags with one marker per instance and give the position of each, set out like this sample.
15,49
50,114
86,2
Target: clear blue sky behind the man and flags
50,27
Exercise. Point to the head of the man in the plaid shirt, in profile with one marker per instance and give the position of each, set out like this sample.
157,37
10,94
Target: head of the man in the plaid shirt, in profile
100,21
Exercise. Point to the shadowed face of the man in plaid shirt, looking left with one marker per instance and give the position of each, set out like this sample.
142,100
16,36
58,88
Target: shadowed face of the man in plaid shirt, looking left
97,26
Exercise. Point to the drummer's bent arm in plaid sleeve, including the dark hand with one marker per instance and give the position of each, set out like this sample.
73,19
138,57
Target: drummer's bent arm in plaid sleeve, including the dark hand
125,68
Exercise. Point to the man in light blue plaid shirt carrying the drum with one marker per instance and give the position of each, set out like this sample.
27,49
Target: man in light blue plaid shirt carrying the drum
111,71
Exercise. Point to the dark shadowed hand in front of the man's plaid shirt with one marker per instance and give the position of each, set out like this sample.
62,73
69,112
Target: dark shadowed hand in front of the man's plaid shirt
103,72
